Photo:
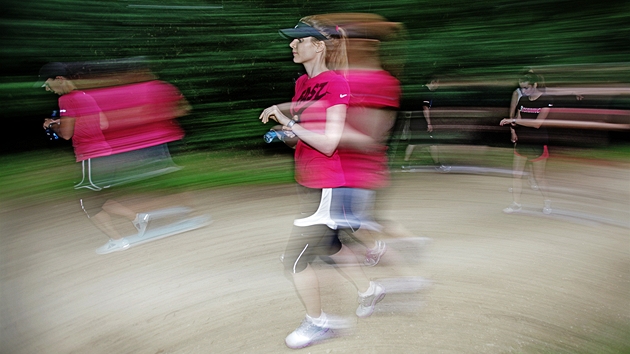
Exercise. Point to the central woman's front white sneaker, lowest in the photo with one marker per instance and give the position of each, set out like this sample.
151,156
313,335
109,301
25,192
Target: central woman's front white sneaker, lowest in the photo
309,333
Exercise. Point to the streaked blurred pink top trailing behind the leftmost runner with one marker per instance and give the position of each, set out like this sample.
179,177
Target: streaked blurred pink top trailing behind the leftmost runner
140,115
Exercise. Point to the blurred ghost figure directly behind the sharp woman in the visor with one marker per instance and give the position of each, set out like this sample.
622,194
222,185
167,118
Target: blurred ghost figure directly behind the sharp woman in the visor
372,112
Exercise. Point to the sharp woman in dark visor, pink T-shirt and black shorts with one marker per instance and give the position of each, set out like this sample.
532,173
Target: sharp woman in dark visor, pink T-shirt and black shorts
316,118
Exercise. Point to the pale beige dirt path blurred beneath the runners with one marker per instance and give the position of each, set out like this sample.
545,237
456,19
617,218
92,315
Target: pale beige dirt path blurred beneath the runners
498,283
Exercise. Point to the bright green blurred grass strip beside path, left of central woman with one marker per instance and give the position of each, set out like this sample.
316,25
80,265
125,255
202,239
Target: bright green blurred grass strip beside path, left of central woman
32,177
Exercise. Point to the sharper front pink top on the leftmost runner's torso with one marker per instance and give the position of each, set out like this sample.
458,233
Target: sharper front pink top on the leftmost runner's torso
88,139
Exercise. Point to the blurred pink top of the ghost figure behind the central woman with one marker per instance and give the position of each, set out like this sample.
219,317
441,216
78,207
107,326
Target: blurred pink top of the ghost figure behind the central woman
370,89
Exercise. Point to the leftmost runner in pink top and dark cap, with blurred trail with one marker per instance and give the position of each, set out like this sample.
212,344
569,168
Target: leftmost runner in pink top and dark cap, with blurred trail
119,134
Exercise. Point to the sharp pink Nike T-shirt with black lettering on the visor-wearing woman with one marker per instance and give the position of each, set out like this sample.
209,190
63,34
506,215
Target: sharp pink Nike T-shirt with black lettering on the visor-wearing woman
312,97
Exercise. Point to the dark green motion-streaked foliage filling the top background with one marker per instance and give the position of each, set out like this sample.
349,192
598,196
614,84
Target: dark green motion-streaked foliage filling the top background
227,59
